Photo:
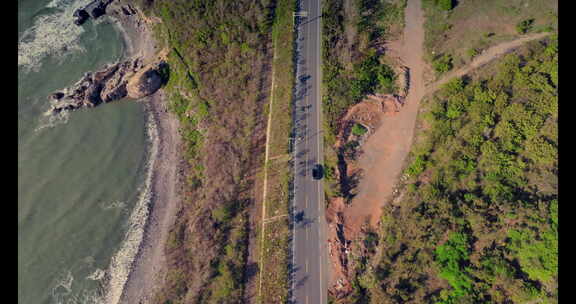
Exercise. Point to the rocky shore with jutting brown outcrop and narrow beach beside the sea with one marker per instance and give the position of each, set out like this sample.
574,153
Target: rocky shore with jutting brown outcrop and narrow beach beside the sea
138,76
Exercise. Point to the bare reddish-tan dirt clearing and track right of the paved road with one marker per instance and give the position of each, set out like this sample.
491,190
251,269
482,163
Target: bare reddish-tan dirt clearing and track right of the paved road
386,150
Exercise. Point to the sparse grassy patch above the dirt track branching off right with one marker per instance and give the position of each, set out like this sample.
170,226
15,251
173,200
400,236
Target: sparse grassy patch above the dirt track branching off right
456,27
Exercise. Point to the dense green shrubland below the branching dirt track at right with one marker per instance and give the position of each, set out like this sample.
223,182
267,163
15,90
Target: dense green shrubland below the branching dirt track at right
479,203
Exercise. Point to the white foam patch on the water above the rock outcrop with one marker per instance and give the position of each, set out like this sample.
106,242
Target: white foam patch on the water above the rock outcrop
53,34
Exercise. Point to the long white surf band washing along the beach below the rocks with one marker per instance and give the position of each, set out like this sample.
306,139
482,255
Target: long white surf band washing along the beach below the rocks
122,261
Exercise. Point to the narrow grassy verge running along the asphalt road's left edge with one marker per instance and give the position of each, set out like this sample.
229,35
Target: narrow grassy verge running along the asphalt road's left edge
275,245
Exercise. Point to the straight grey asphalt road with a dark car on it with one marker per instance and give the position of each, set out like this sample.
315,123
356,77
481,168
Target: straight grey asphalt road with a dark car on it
309,280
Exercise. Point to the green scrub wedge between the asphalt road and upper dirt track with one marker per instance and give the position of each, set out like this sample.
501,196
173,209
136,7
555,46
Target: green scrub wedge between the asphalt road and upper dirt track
347,81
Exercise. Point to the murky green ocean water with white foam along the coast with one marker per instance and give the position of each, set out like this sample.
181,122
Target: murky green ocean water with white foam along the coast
82,176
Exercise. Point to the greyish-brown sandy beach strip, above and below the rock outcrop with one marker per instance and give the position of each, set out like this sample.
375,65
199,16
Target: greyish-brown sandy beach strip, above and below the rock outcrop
148,267
